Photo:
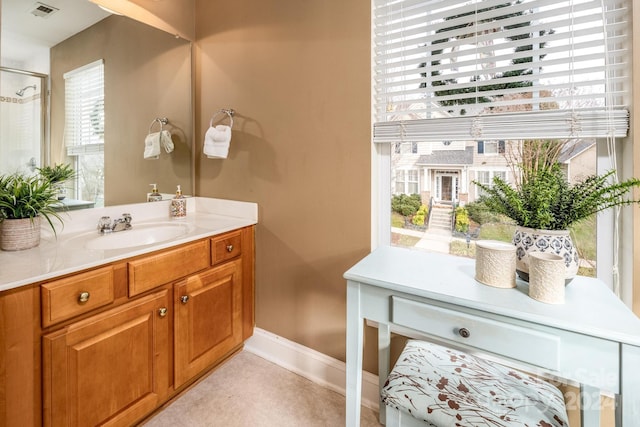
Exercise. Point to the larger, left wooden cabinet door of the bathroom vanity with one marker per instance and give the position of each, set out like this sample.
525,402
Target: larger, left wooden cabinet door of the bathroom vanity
110,369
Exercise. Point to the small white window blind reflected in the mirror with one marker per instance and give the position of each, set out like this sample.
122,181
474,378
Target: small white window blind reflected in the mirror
84,109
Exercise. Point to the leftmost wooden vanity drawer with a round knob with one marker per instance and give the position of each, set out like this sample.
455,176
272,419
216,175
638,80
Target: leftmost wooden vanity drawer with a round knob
69,297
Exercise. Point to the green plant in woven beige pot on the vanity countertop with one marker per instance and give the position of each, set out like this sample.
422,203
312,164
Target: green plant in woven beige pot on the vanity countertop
24,201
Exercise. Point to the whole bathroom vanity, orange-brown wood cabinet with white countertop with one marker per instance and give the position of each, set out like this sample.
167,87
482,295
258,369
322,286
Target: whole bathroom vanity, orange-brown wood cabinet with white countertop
103,330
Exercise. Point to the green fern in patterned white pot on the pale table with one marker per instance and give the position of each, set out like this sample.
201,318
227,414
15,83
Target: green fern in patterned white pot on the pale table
544,205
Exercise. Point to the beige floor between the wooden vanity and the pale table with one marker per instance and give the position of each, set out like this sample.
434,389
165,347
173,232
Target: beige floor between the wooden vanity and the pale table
248,391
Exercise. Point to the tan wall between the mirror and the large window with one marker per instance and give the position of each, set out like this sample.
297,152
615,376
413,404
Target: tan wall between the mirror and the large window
297,73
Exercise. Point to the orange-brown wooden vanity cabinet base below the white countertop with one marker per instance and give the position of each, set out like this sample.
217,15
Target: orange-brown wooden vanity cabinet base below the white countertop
114,356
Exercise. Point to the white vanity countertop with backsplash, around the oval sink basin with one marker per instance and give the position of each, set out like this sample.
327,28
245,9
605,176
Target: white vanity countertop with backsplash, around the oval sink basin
64,254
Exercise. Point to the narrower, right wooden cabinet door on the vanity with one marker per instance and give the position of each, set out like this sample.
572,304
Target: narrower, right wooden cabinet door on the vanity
208,319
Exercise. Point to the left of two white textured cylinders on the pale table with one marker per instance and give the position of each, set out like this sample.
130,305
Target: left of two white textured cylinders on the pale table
496,263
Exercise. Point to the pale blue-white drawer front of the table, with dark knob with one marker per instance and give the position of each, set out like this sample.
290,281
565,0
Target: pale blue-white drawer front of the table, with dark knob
506,339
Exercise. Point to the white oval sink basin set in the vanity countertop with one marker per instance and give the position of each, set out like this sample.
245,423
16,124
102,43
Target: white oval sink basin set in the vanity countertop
139,235
